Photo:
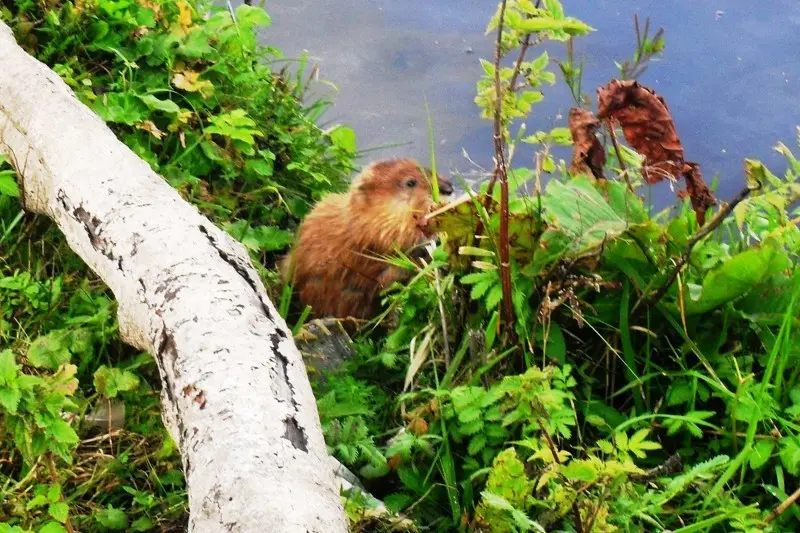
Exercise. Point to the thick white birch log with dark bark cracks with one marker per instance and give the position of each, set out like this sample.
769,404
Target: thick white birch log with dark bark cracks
235,393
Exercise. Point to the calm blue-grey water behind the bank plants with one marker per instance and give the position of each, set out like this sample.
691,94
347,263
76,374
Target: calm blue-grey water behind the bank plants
729,73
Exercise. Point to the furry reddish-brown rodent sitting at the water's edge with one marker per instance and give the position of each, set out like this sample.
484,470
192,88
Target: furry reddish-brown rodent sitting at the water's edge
334,264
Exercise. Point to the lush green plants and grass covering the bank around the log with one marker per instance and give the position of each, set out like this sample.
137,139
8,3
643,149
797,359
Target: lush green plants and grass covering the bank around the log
630,377
